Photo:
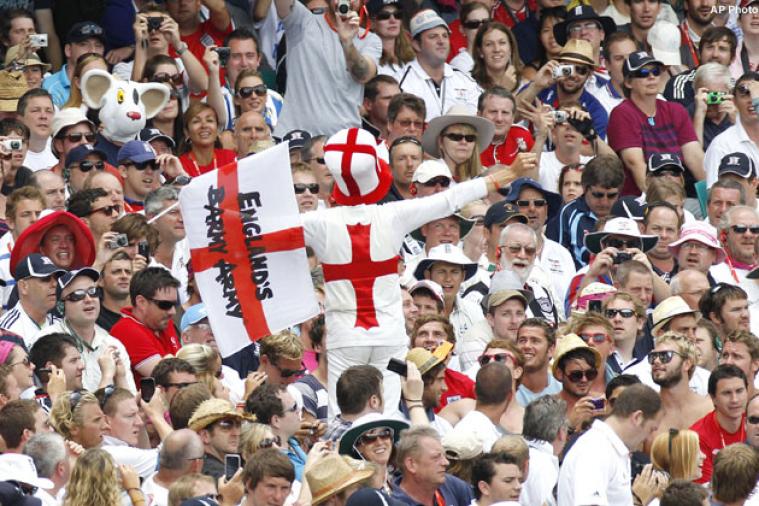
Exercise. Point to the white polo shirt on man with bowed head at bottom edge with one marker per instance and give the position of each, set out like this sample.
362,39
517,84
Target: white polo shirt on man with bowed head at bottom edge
596,471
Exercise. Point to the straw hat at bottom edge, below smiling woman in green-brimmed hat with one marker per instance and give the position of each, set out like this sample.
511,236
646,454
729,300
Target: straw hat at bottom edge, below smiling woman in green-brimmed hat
333,474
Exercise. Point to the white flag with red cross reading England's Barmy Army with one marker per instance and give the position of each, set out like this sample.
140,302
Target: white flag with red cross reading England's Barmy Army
248,252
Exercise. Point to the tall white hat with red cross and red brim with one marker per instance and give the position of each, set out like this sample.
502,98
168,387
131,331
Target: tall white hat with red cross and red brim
359,166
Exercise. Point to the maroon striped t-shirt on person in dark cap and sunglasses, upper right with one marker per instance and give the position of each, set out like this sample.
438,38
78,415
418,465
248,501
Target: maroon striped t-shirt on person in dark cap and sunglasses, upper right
629,127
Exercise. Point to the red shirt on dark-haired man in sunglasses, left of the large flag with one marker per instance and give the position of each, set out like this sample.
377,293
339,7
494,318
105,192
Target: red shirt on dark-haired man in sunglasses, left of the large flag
143,343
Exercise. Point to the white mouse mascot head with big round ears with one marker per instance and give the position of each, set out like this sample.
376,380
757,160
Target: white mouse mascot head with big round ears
124,106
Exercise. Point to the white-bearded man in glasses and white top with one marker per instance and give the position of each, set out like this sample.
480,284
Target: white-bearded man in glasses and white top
518,248
